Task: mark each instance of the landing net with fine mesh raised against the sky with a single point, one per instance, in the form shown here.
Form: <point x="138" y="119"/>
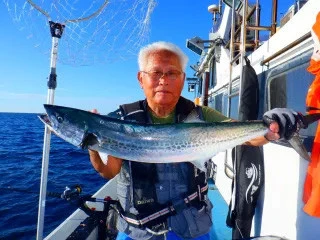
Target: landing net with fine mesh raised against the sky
<point x="96" y="31"/>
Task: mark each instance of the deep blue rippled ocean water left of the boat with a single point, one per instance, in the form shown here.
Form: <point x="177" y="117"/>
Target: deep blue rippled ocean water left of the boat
<point x="21" y="143"/>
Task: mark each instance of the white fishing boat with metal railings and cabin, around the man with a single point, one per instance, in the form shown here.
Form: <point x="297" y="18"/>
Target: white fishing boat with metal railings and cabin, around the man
<point x="276" y="64"/>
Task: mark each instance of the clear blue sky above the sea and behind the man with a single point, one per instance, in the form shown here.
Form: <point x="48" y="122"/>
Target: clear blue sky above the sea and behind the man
<point x="24" y="70"/>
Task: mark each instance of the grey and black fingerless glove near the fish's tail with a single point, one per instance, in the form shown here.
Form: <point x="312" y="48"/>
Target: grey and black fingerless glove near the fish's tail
<point x="287" y="120"/>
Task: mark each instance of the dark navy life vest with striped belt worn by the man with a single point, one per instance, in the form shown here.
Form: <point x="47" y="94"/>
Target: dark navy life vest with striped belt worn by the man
<point x="138" y="182"/>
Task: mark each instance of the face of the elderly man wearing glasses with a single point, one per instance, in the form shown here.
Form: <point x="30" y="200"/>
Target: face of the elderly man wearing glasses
<point x="164" y="90"/>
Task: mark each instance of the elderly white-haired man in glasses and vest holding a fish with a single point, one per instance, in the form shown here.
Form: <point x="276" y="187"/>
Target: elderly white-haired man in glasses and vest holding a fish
<point x="148" y="189"/>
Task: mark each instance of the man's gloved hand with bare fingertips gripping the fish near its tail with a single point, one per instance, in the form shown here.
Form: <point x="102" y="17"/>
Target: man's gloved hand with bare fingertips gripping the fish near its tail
<point x="282" y="123"/>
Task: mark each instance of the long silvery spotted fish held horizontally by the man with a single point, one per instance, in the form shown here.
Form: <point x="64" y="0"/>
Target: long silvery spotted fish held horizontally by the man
<point x="194" y="142"/>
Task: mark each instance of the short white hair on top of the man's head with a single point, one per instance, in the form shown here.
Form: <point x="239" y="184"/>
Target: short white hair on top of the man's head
<point x="158" y="46"/>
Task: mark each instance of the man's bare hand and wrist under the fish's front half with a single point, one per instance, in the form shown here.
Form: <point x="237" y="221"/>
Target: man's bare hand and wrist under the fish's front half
<point x="109" y="170"/>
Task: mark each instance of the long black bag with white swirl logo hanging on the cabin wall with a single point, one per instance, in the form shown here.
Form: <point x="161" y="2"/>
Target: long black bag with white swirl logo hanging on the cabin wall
<point x="248" y="163"/>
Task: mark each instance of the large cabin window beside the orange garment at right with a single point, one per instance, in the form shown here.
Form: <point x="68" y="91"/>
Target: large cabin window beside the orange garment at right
<point x="288" y="89"/>
